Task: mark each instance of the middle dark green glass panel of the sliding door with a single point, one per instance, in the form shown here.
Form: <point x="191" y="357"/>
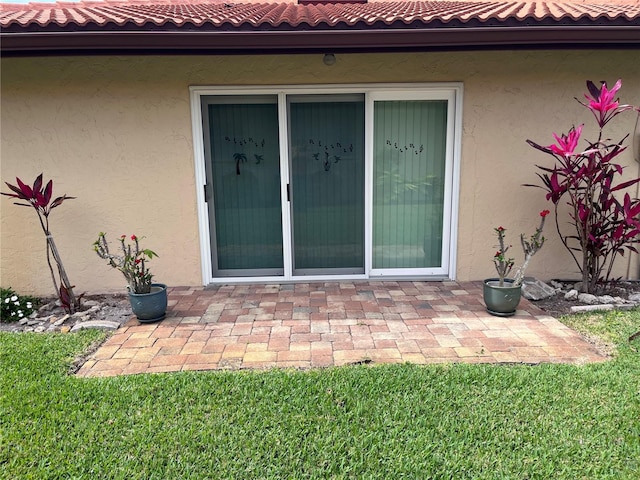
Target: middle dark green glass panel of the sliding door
<point x="327" y="167"/>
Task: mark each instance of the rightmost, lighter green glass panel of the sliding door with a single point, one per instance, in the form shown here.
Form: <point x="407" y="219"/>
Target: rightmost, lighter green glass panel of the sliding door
<point x="408" y="191"/>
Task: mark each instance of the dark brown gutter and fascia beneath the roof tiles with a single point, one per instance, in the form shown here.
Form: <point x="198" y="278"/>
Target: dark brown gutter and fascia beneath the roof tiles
<point x="280" y="42"/>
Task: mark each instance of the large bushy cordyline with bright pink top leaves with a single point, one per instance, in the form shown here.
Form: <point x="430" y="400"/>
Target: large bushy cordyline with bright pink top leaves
<point x="603" y="225"/>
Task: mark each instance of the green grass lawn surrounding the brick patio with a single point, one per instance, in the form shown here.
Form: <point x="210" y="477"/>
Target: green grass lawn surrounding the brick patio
<point x="391" y="421"/>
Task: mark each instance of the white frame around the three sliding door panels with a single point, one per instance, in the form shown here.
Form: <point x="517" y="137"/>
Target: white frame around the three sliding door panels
<point x="452" y="92"/>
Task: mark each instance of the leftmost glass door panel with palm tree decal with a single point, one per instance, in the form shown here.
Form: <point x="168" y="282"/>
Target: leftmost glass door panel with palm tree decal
<point x="246" y="186"/>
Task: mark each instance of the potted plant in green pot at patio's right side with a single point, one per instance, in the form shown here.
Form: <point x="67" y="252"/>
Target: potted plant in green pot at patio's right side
<point x="502" y="294"/>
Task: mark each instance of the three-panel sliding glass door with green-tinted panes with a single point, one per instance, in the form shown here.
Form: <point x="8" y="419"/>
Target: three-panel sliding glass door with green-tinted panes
<point x="304" y="184"/>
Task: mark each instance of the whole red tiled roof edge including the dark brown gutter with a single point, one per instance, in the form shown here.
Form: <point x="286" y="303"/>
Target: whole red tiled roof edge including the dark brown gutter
<point x="289" y="25"/>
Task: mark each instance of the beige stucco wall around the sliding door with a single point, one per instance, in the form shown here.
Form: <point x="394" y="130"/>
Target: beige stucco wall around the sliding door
<point x="116" y="133"/>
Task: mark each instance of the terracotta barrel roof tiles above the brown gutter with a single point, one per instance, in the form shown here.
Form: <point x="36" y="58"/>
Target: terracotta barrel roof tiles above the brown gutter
<point x="289" y="15"/>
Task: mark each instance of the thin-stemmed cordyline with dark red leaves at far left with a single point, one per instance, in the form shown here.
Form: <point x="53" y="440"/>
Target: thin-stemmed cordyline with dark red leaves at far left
<point x="39" y="196"/>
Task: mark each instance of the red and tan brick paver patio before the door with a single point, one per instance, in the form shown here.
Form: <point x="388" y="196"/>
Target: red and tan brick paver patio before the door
<point x="324" y="324"/>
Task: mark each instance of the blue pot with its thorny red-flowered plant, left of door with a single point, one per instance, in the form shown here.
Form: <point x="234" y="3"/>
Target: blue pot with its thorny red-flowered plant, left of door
<point x="148" y="300"/>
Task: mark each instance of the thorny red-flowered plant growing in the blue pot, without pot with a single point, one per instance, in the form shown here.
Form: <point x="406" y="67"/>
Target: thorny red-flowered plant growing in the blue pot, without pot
<point x="131" y="262"/>
